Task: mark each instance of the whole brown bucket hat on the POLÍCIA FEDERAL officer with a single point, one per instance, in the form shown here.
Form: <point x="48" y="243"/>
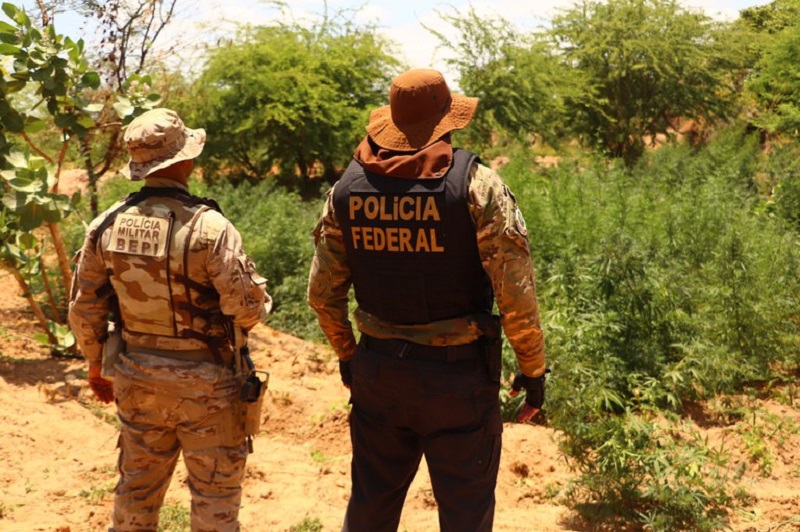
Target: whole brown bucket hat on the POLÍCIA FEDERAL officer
<point x="421" y="110"/>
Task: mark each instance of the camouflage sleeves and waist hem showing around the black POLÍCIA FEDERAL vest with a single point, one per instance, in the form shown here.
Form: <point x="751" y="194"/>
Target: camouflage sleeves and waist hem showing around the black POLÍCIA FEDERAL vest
<point x="503" y="248"/>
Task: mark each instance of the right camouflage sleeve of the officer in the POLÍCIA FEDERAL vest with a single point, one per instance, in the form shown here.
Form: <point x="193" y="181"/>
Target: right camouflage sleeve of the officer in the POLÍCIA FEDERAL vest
<point x="504" y="251"/>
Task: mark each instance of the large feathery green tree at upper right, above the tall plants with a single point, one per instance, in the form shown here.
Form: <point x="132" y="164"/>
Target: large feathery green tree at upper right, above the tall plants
<point x="643" y="64"/>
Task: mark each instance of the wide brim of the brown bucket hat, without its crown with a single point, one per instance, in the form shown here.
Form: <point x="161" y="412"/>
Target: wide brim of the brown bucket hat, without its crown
<point x="413" y="137"/>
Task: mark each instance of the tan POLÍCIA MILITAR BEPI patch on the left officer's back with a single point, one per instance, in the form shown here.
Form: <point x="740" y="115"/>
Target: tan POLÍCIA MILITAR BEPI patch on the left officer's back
<point x="135" y="234"/>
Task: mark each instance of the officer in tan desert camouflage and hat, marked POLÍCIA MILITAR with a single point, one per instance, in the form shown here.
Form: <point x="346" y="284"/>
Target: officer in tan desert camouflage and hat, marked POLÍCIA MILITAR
<point x="173" y="271"/>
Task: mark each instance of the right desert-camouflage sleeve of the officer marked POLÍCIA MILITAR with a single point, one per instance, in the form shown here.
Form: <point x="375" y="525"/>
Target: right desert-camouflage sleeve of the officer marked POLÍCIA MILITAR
<point x="242" y="291"/>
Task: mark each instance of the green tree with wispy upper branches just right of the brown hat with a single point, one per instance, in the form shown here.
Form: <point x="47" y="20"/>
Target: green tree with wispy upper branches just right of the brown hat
<point x="518" y="81"/>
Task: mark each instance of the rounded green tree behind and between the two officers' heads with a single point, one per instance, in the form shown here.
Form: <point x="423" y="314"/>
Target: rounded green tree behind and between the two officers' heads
<point x="290" y="100"/>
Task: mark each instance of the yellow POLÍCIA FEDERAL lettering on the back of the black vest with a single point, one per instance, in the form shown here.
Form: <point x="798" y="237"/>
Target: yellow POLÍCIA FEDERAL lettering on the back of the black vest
<point x="400" y="223"/>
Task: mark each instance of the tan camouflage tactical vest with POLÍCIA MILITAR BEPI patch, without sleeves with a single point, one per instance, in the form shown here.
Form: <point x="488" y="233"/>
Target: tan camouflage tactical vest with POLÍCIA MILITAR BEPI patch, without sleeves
<point x="146" y="251"/>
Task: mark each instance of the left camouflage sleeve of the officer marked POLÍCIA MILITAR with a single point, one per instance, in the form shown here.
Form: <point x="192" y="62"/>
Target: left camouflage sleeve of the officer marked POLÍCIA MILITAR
<point x="89" y="306"/>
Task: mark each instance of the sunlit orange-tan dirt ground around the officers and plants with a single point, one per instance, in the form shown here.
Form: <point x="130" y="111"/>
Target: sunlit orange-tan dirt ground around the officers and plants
<point x="58" y="448"/>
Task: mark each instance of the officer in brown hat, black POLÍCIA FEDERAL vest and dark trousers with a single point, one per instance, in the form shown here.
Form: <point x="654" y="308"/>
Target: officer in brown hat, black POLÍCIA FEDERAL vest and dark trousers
<point x="428" y="237"/>
